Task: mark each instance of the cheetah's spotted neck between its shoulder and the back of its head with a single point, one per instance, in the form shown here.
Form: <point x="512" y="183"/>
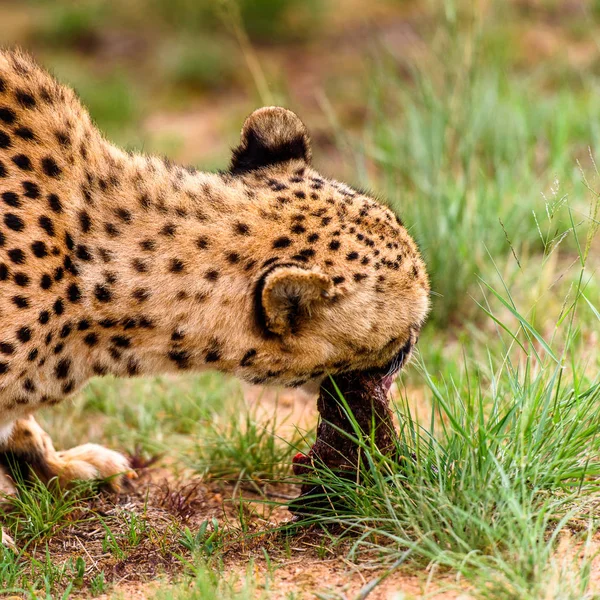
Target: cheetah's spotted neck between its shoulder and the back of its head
<point x="149" y="252"/>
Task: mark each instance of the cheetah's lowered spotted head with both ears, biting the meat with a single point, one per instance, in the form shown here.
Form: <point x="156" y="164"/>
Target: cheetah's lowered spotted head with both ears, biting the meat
<point x="343" y="287"/>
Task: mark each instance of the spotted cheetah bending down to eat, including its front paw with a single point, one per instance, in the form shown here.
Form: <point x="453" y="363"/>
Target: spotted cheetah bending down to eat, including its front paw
<point x="113" y="262"/>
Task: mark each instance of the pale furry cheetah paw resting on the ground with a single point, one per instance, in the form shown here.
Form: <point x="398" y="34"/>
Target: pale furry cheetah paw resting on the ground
<point x="91" y="461"/>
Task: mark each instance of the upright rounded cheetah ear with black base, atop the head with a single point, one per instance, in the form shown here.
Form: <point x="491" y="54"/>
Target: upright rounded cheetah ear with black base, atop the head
<point x="270" y="135"/>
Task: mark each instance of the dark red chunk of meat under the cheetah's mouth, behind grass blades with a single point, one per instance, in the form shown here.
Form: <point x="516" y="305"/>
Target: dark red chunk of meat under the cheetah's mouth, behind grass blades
<point x="366" y="396"/>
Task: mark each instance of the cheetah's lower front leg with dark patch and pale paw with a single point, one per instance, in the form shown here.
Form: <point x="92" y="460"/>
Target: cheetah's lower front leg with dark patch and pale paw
<point x="29" y="448"/>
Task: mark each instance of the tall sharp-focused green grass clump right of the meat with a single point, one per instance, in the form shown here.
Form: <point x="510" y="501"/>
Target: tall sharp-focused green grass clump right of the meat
<point x="507" y="467"/>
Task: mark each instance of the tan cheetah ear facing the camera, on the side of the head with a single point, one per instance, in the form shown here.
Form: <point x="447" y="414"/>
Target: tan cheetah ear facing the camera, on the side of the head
<point x="288" y="296"/>
